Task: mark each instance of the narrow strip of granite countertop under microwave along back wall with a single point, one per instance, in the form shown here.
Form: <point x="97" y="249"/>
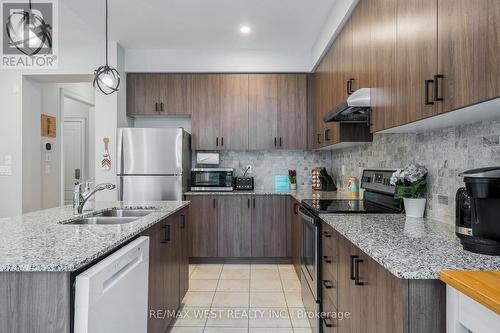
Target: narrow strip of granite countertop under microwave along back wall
<point x="299" y="194"/>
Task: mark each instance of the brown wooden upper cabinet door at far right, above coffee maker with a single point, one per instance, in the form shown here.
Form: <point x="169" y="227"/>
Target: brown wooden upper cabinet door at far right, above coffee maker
<point x="468" y="49"/>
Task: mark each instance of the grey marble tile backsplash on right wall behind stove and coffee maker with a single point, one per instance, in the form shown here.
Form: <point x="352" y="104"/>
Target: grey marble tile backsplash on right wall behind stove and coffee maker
<point x="445" y="153"/>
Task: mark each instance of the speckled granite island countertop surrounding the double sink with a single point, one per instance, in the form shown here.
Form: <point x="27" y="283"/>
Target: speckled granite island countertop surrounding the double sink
<point x="38" y="242"/>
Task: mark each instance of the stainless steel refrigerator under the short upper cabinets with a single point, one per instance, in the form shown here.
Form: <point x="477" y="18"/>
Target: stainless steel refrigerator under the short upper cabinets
<point x="153" y="163"/>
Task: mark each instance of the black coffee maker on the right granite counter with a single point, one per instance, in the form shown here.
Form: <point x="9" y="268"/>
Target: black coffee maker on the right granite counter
<point x="478" y="211"/>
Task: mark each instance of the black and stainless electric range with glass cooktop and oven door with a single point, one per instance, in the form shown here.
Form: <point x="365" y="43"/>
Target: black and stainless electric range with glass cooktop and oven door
<point x="378" y="198"/>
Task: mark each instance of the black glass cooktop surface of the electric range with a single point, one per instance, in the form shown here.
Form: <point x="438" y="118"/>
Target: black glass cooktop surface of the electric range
<point x="323" y="206"/>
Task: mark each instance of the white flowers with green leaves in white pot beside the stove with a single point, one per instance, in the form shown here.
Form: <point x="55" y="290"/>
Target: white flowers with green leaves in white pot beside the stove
<point x="411" y="186"/>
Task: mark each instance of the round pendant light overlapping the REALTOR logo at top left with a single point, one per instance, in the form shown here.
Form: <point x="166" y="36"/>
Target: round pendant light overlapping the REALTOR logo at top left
<point x="28" y="32"/>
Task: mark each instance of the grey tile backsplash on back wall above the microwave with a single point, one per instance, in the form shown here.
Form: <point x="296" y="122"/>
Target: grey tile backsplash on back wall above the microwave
<point x="270" y="163"/>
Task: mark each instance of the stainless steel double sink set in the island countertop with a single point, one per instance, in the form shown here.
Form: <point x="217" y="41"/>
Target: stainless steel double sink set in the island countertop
<point x="113" y="216"/>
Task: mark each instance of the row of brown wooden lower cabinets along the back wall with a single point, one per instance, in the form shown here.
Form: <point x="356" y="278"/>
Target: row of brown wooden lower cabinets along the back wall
<point x="238" y="226"/>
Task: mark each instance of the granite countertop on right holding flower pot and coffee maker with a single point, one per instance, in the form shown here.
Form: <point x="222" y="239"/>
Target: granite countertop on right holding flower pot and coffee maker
<point x="409" y="248"/>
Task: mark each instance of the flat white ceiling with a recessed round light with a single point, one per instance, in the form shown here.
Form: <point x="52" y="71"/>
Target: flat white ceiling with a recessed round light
<point x="209" y="24"/>
